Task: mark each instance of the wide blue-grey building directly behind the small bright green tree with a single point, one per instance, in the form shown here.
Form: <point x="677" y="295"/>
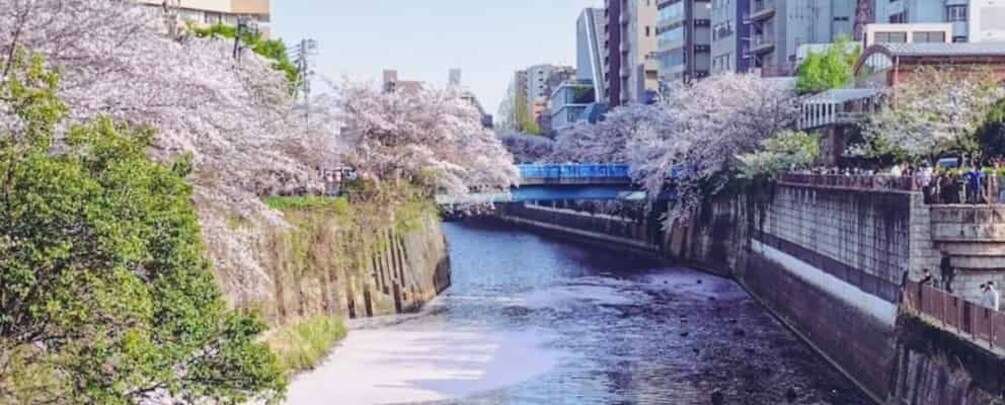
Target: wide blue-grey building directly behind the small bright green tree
<point x="779" y="28"/>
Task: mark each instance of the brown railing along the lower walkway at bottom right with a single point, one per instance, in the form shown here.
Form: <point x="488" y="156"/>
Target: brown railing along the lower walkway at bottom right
<point x="983" y="325"/>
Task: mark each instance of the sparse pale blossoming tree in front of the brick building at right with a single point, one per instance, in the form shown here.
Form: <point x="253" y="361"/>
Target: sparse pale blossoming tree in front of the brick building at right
<point x="934" y="111"/>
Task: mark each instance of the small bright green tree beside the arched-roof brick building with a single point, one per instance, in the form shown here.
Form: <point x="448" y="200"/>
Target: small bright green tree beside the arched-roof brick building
<point x="832" y="69"/>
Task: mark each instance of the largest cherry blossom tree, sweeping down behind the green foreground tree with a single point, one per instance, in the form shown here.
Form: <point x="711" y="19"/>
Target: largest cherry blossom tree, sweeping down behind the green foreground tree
<point x="234" y="117"/>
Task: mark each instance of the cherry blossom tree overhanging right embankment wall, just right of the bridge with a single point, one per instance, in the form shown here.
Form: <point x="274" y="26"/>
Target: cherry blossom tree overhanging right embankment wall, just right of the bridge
<point x="706" y="126"/>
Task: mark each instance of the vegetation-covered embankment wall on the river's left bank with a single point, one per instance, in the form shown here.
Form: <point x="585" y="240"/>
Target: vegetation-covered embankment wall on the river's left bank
<point x="351" y="265"/>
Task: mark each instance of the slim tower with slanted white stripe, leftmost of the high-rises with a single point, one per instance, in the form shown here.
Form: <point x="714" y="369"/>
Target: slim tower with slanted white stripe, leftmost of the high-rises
<point x="589" y="46"/>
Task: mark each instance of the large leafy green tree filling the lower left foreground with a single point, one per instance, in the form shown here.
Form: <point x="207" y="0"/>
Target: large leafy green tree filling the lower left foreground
<point x="105" y="294"/>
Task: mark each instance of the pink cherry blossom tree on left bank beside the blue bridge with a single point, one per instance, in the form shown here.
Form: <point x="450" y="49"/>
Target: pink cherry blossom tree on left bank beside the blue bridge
<point x="432" y="138"/>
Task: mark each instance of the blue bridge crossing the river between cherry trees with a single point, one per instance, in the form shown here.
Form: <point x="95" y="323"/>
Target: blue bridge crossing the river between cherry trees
<point x="561" y="182"/>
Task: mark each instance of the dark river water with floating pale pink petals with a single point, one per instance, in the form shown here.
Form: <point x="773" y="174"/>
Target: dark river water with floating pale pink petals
<point x="536" y="321"/>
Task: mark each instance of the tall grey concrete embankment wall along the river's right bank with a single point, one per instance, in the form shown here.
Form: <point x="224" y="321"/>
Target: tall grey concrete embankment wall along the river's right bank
<point x="828" y="263"/>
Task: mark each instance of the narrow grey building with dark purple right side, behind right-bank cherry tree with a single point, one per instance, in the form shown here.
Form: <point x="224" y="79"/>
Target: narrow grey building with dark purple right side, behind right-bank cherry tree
<point x="730" y="37"/>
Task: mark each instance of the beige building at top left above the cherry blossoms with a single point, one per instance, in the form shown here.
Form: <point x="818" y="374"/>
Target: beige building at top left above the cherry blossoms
<point x="209" y="13"/>
